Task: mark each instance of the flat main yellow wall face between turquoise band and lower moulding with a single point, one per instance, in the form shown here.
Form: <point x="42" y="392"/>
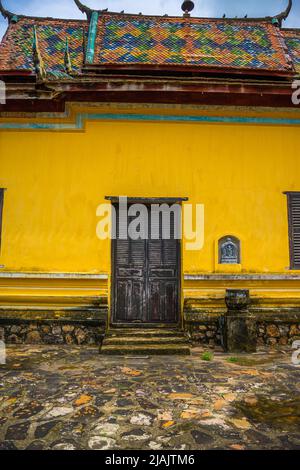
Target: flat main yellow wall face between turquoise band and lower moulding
<point x="55" y="181"/>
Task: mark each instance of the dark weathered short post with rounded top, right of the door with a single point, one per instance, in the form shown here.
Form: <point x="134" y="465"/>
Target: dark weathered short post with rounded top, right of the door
<point x="240" y="325"/>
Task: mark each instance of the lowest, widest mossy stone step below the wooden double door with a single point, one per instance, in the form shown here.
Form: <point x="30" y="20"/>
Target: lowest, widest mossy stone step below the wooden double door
<point x="145" y="350"/>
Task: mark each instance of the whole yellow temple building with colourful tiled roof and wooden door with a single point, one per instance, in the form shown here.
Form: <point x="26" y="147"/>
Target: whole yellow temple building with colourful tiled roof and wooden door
<point x="200" y="113"/>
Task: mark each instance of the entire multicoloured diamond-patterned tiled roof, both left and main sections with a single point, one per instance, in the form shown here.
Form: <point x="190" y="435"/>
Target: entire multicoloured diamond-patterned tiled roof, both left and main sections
<point x="123" y="40"/>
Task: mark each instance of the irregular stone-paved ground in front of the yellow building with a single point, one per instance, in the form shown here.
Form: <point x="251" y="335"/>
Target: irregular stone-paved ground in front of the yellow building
<point x="59" y="397"/>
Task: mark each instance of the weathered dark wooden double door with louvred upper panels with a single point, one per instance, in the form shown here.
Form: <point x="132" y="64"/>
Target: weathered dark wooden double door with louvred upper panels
<point x="146" y="275"/>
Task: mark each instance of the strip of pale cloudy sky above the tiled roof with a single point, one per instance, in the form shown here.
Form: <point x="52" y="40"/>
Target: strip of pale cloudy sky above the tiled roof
<point x="214" y="8"/>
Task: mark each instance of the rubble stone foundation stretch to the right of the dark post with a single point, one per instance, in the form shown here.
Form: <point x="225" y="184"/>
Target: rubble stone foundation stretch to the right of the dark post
<point x="277" y="334"/>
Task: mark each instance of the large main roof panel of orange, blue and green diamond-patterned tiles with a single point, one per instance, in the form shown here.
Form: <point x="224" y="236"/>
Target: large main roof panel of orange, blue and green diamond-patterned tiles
<point x="189" y="41"/>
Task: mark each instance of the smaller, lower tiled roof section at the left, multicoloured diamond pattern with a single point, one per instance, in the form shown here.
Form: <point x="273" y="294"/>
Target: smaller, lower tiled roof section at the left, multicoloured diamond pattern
<point x="16" y="50"/>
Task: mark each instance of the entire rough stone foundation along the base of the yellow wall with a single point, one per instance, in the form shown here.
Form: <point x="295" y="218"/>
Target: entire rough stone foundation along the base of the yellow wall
<point x="88" y="328"/>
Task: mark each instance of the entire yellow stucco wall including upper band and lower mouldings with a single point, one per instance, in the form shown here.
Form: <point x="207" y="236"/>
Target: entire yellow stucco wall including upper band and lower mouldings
<point x="56" y="180"/>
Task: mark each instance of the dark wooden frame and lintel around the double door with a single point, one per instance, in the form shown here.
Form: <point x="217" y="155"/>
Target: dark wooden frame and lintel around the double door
<point x="112" y="313"/>
